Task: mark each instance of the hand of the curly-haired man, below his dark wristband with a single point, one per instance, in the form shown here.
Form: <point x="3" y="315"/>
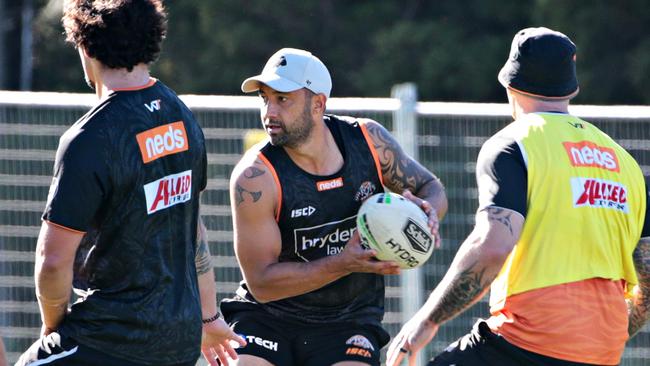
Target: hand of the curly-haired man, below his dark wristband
<point x="215" y="343"/>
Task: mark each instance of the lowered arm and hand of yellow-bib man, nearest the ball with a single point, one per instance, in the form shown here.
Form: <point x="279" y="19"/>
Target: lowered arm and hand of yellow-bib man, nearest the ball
<point x="475" y="266"/>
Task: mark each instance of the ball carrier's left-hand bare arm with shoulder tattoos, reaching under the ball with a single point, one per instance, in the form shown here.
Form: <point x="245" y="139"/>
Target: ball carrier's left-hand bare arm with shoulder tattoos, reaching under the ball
<point x="255" y="200"/>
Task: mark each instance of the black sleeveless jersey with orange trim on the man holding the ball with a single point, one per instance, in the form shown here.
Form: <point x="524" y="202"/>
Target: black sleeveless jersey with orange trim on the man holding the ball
<point x="317" y="217"/>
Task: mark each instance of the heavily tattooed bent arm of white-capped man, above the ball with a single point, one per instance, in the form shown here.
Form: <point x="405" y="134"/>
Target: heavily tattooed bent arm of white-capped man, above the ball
<point x="402" y="173"/>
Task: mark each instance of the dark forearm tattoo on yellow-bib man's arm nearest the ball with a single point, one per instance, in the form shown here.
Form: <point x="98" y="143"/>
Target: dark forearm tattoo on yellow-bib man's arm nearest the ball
<point x="463" y="291"/>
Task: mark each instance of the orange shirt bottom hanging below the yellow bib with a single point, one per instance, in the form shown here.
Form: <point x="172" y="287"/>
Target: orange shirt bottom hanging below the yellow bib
<point x="583" y="321"/>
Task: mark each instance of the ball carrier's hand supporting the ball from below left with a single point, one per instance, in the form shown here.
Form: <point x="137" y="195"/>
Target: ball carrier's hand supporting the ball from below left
<point x="357" y="259"/>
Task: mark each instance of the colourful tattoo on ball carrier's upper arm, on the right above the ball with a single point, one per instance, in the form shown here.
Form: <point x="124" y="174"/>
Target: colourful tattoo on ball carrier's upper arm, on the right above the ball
<point x="399" y="170"/>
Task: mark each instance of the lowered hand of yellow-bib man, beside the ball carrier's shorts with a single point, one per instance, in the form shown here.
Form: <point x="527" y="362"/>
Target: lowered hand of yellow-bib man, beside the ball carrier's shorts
<point x="413" y="336"/>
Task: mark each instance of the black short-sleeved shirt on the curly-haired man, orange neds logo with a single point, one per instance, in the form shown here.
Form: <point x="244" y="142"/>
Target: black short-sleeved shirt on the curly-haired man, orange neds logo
<point x="128" y="174"/>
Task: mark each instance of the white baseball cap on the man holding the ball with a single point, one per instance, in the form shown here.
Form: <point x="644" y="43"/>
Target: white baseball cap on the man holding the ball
<point x="291" y="69"/>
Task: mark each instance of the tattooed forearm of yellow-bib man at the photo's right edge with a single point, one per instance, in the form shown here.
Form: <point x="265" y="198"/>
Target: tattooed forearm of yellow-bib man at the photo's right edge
<point x="639" y="305"/>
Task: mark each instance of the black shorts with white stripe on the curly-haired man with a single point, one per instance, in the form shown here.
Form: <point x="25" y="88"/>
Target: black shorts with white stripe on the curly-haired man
<point x="57" y="350"/>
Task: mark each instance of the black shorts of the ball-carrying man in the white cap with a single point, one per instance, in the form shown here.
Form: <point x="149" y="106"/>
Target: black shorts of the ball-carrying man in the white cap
<point x="286" y="342"/>
